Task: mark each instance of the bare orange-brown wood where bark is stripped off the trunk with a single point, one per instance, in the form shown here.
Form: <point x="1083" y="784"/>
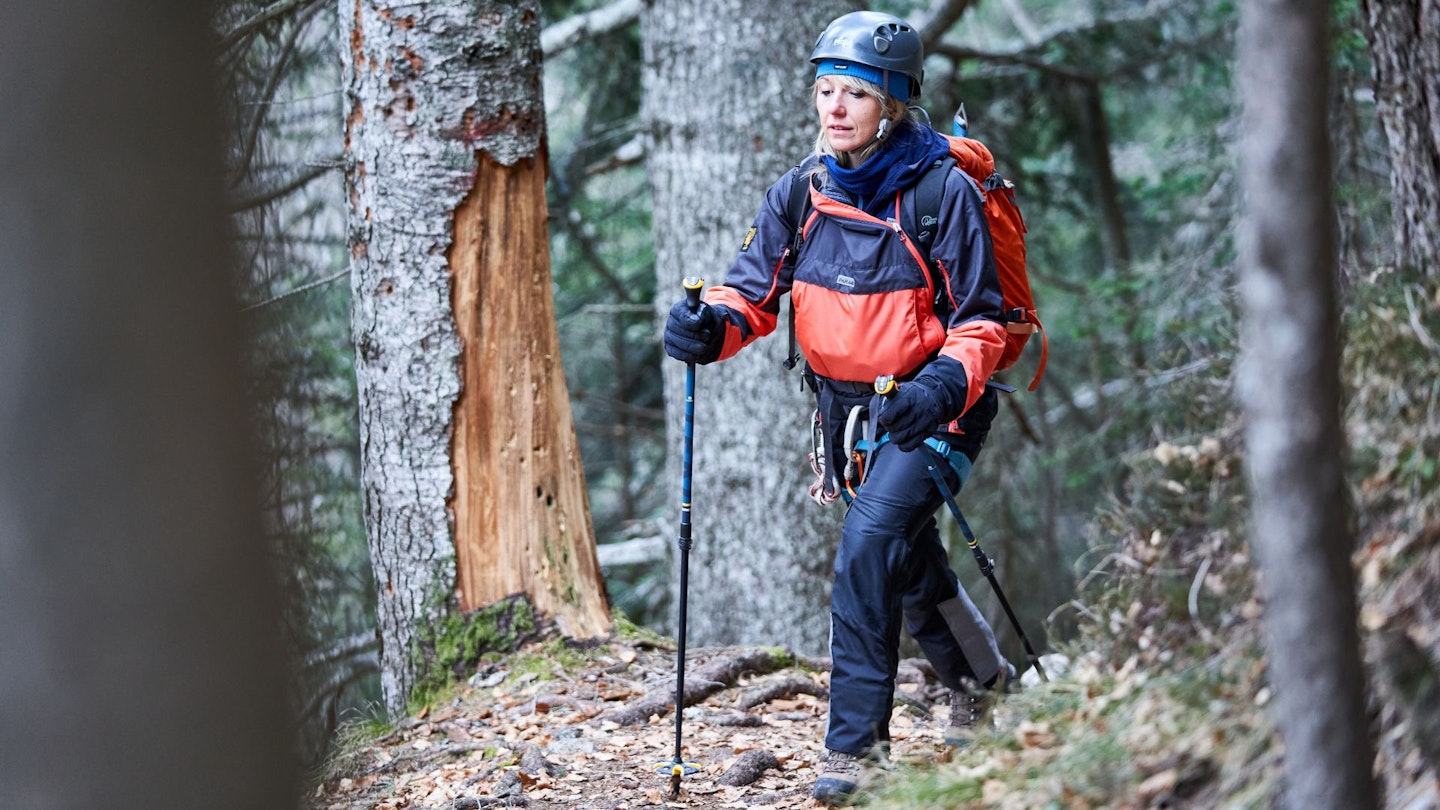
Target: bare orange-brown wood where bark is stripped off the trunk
<point x="522" y="520"/>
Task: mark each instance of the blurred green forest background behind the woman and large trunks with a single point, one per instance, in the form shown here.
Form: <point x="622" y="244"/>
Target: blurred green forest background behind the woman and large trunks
<point x="1118" y="122"/>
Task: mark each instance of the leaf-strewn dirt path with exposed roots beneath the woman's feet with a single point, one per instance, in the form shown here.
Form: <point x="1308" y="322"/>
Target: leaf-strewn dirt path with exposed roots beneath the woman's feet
<point x="577" y="729"/>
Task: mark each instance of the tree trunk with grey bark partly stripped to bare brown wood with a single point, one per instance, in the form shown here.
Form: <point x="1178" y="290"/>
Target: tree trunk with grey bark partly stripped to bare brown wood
<point x="470" y="466"/>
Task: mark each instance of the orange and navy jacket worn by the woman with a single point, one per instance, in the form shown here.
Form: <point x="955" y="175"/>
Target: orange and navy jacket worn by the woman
<point x="865" y="303"/>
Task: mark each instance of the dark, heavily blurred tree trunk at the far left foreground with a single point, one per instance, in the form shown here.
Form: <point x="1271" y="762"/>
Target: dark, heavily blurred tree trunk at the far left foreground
<point x="140" y="658"/>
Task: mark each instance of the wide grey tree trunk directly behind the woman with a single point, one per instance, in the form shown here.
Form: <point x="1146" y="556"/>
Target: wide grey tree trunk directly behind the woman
<point x="728" y="110"/>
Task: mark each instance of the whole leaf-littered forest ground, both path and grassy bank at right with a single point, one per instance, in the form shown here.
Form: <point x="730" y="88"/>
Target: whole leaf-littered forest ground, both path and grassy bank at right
<point x="1166" y="704"/>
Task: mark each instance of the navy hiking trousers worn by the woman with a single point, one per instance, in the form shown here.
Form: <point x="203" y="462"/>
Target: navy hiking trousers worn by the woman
<point x="892" y="564"/>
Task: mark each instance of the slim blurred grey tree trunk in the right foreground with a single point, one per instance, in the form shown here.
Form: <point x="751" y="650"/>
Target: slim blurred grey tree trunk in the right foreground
<point x="1291" y="391"/>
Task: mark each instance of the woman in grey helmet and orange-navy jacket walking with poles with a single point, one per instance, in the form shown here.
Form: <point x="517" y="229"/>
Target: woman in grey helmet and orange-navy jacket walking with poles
<point x="868" y="306"/>
